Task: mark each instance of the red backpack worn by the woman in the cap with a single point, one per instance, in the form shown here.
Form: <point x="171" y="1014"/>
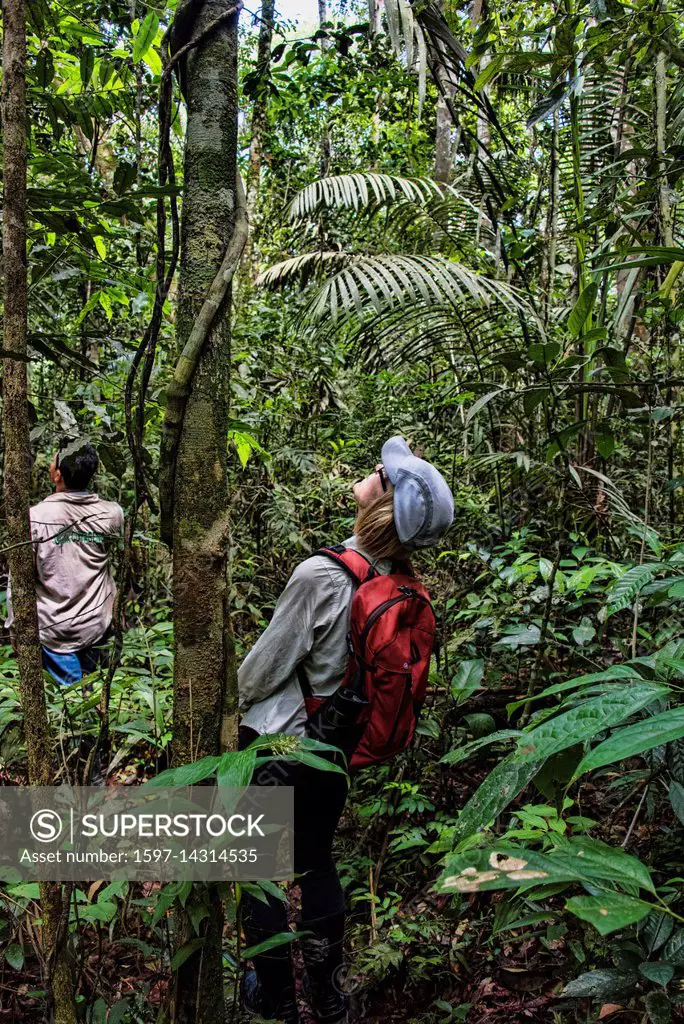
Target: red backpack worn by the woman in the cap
<point x="373" y="714"/>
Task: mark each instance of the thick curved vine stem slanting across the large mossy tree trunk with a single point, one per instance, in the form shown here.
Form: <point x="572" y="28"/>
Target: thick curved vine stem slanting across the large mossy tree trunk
<point x="182" y="382"/>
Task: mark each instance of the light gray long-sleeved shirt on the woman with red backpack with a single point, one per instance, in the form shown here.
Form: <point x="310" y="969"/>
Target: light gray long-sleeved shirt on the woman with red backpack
<point x="310" y="626"/>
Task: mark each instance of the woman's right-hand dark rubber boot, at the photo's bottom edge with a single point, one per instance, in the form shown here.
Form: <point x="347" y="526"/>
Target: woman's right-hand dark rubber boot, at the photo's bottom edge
<point x="323" y="955"/>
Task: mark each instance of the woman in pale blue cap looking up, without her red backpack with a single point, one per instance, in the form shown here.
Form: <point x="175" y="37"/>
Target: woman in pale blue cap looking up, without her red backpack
<point x="404" y="505"/>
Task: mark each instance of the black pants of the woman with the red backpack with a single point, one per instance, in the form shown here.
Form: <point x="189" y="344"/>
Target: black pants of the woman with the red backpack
<point x="320" y="798"/>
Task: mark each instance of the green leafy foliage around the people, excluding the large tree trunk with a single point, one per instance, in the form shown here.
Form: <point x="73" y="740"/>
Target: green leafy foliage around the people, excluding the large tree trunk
<point x="522" y="322"/>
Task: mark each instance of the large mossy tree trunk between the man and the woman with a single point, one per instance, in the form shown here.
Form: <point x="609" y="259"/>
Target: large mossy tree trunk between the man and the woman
<point x="205" y="677"/>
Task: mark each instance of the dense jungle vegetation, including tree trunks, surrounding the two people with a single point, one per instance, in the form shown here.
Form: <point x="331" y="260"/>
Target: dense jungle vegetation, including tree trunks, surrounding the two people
<point x="464" y="228"/>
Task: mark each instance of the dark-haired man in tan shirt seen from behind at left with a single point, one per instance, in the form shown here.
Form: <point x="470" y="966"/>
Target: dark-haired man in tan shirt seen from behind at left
<point x="73" y="531"/>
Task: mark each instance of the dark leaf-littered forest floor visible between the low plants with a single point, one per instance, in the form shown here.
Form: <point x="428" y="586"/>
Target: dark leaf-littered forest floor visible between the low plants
<point x="517" y="978"/>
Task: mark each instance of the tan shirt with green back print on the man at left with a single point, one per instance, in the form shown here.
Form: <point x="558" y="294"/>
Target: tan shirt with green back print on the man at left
<point x="75" y="592"/>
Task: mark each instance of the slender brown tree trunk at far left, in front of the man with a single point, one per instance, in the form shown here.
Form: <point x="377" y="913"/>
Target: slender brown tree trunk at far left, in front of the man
<point x="18" y="480"/>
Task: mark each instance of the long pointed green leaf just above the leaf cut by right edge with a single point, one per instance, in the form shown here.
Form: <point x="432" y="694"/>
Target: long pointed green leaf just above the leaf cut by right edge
<point x="586" y="720"/>
